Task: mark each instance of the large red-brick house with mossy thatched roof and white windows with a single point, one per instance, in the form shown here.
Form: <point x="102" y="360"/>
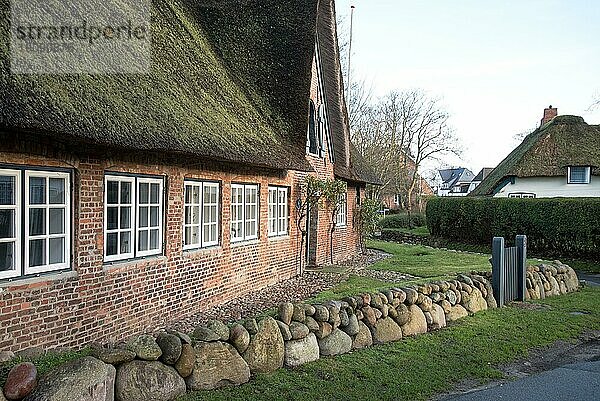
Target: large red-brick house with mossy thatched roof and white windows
<point x="129" y="201"/>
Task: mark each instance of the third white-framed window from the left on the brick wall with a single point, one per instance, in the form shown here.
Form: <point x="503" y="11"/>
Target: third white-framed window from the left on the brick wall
<point x="201" y="214"/>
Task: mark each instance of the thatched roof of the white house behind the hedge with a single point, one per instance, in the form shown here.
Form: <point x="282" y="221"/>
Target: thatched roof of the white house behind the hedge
<point x="547" y="152"/>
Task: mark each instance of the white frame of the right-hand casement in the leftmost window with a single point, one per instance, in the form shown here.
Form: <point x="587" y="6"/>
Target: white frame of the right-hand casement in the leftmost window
<point x="66" y="206"/>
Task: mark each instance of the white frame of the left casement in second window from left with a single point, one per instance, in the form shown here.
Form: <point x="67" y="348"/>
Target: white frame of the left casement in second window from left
<point x="132" y="223"/>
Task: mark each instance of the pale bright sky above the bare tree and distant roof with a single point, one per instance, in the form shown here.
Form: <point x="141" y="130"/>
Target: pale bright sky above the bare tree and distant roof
<point x="495" y="64"/>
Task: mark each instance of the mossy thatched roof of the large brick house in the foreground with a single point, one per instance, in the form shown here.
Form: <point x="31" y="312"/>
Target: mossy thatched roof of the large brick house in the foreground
<point x="229" y="81"/>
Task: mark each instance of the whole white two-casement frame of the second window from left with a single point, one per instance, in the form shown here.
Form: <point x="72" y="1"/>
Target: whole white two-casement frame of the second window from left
<point x="135" y="181"/>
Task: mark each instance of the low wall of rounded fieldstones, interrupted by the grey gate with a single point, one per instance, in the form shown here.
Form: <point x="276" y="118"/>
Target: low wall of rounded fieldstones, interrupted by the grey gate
<point x="165" y="366"/>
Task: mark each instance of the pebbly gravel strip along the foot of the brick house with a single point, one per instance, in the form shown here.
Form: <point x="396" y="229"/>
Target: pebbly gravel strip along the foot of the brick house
<point x="295" y="289"/>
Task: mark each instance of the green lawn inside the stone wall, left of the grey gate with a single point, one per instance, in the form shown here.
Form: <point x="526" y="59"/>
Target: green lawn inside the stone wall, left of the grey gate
<point x="424" y="261"/>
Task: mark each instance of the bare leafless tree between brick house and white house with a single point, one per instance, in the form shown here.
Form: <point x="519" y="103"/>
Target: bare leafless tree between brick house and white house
<point x="398" y="134"/>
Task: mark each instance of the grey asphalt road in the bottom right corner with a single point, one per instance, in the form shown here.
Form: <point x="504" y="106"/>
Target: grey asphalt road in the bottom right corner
<point x="579" y="381"/>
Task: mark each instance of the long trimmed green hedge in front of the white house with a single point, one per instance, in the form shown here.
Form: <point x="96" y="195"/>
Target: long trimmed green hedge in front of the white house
<point x="554" y="226"/>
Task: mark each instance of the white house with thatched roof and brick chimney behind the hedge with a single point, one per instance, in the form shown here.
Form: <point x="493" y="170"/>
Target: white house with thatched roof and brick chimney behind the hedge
<point x="559" y="159"/>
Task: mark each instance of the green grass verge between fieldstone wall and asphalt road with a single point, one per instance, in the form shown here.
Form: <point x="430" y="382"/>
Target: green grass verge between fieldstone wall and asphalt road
<point x="417" y="368"/>
